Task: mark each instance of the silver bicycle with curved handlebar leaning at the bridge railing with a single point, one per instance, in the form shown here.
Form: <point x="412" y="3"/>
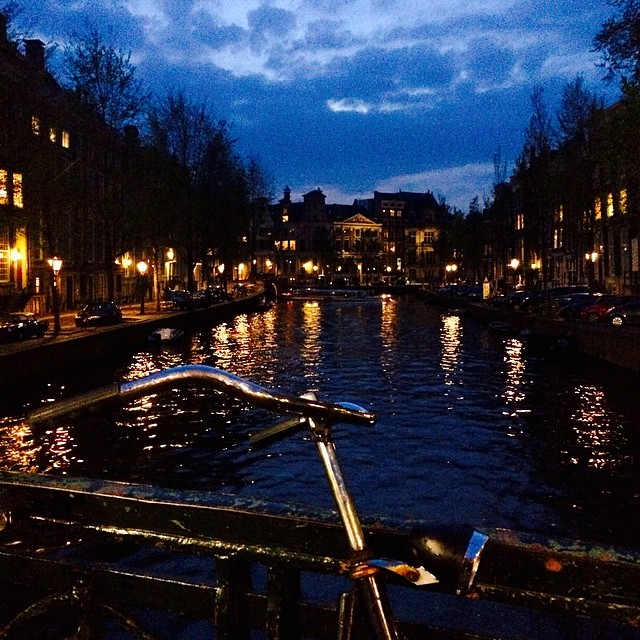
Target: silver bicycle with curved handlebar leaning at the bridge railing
<point x="318" y="417"/>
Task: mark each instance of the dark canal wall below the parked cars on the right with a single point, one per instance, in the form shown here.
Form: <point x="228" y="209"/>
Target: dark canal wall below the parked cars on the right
<point x="619" y="346"/>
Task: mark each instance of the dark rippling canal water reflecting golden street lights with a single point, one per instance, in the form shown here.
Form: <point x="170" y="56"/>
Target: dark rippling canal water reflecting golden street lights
<point x="472" y="427"/>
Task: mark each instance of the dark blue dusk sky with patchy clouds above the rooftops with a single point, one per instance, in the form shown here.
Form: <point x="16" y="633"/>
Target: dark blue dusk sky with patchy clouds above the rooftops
<point x="354" y="96"/>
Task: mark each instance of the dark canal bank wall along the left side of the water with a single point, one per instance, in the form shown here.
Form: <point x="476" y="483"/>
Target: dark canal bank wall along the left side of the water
<point x="74" y="347"/>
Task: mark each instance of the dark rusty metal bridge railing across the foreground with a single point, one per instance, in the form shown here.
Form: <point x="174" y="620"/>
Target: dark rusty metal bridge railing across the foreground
<point x="73" y="545"/>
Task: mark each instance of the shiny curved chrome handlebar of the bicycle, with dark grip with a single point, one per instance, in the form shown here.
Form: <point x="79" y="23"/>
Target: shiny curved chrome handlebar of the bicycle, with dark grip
<point x="228" y="383"/>
